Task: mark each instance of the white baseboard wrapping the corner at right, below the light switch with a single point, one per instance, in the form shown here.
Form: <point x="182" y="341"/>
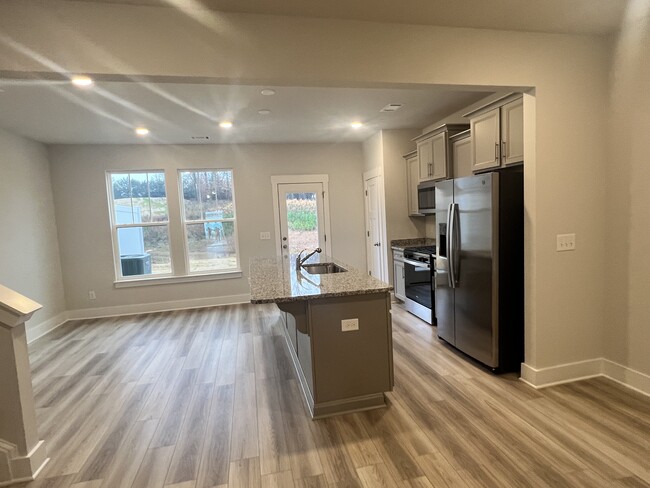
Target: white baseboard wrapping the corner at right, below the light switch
<point x="567" y="373"/>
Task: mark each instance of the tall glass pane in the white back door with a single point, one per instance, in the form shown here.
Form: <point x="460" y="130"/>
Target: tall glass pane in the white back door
<point x="302" y="221"/>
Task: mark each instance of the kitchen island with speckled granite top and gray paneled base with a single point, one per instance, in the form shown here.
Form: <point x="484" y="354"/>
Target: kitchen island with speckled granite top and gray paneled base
<point x="338" y="331"/>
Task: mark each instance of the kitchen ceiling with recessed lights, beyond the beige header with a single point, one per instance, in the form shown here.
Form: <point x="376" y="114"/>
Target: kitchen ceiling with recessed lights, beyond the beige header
<point x="56" y="112"/>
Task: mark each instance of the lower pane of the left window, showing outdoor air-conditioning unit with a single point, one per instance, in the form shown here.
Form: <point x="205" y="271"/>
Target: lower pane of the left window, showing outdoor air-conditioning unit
<point x="144" y="250"/>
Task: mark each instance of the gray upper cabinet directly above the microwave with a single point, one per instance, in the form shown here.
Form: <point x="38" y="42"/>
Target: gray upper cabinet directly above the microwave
<point x="433" y="151"/>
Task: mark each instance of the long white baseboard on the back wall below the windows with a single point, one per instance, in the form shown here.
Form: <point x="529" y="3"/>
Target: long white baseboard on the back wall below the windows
<point x="93" y="313"/>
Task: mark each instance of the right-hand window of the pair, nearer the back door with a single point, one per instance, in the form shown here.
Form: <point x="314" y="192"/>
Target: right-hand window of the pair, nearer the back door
<point x="209" y="220"/>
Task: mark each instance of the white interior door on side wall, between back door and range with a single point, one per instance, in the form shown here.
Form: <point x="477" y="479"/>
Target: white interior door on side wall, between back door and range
<point x="374" y="227"/>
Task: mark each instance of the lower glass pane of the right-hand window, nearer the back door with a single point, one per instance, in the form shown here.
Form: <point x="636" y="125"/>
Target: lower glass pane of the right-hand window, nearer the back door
<point x="211" y="246"/>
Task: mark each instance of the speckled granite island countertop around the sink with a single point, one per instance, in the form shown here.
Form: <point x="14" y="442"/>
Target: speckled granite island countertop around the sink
<point x="275" y="280"/>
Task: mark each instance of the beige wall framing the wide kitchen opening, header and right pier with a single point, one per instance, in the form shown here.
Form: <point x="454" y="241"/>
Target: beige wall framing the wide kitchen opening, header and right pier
<point x="566" y="139"/>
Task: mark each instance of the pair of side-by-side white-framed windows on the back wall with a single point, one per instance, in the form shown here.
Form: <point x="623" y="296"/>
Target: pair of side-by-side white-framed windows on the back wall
<point x="149" y="237"/>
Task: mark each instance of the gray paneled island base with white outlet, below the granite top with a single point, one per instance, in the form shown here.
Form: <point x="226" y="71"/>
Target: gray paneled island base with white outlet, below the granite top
<point x="341" y="371"/>
